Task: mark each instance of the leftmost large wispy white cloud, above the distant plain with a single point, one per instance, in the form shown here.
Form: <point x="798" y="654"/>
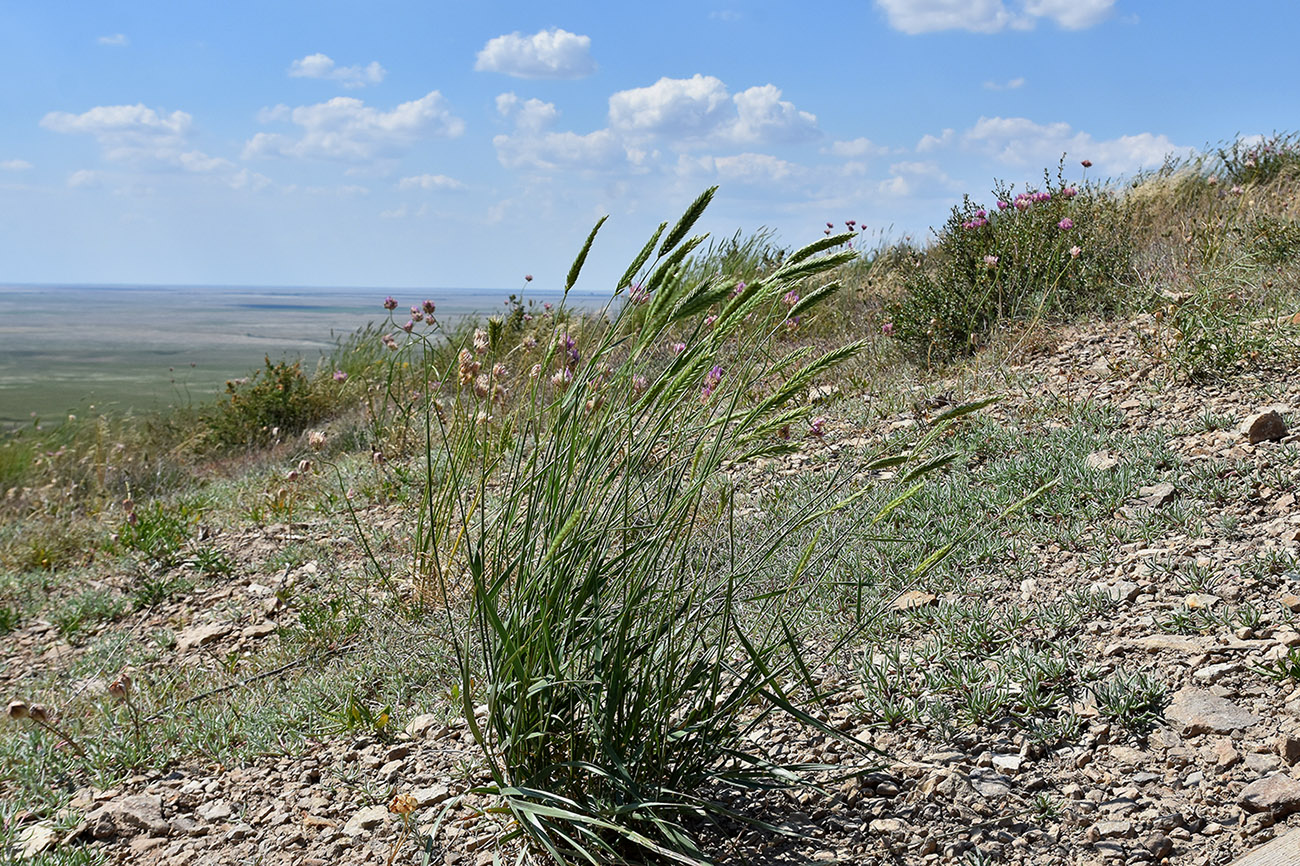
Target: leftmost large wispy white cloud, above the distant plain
<point x="138" y="136"/>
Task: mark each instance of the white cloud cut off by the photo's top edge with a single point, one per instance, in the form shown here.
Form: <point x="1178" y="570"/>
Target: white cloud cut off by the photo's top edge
<point x="991" y="16"/>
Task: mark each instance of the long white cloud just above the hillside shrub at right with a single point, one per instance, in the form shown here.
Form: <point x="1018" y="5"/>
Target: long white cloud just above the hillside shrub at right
<point x="1019" y="141"/>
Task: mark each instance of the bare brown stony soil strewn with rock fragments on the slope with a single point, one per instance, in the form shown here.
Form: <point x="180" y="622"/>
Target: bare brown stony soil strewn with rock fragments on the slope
<point x="1216" y="778"/>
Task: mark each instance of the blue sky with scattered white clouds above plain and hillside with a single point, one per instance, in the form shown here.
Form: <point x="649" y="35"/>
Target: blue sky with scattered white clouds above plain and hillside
<point x="465" y="145"/>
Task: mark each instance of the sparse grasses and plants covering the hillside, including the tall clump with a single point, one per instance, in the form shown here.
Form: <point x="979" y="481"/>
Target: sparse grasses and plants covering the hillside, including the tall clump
<point x="631" y="558"/>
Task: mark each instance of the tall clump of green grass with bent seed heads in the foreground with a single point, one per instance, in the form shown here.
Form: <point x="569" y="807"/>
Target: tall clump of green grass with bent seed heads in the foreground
<point x="574" y="527"/>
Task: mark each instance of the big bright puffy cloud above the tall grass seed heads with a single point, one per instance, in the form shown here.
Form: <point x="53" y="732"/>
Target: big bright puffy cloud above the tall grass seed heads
<point x="701" y="110"/>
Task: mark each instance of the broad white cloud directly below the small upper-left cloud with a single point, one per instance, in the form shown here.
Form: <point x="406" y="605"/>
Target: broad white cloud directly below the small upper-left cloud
<point x="348" y="131"/>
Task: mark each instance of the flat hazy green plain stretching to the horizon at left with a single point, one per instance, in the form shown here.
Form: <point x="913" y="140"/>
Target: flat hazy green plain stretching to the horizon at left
<point x="118" y="349"/>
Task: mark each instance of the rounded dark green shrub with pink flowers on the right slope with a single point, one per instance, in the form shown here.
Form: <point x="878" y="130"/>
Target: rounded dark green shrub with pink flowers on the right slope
<point x="1058" y="250"/>
